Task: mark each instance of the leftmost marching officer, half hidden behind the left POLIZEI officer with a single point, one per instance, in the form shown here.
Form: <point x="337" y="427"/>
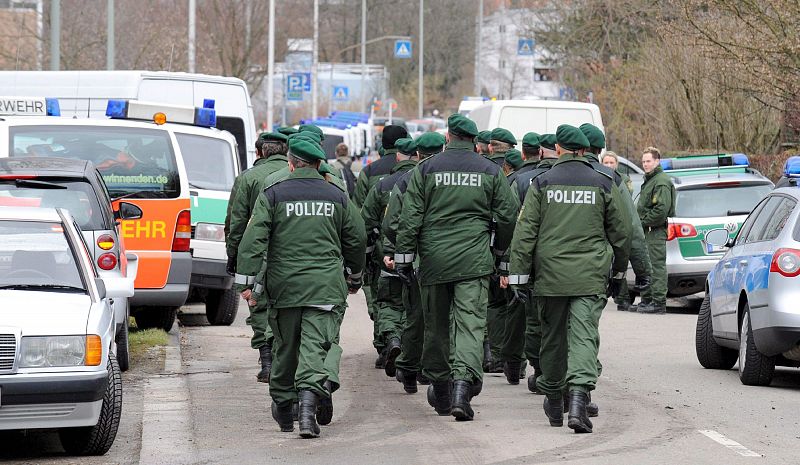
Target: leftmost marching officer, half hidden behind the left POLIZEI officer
<point x="270" y="158"/>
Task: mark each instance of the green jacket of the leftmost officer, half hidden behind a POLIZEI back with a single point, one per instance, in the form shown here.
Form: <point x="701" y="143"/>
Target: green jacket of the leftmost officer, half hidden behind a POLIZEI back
<point x="243" y="198"/>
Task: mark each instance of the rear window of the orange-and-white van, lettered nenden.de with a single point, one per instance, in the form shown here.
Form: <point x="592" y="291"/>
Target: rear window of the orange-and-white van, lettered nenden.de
<point x="135" y="162"/>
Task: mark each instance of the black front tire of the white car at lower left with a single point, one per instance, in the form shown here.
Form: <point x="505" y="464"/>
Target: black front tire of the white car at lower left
<point x="97" y="439"/>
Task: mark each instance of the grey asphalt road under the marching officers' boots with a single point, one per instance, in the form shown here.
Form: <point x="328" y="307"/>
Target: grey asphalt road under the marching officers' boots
<point x="657" y="406"/>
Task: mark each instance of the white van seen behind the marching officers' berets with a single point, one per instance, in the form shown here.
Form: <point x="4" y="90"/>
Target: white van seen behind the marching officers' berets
<point x="540" y="116"/>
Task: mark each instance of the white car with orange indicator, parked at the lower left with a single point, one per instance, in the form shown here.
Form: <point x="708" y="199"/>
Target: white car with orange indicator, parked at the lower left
<point x="58" y="366"/>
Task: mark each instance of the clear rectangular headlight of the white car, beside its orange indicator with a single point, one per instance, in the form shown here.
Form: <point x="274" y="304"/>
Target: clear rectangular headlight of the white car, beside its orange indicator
<point x="52" y="351"/>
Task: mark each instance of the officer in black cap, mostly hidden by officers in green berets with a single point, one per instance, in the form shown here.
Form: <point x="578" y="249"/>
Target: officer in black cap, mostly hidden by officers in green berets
<point x="369" y="176"/>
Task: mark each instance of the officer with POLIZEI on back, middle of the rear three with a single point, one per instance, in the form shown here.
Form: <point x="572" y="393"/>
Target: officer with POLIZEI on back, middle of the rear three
<point x="449" y="206"/>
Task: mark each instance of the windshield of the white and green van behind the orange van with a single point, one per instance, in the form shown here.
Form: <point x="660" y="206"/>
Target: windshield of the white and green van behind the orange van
<point x="209" y="162"/>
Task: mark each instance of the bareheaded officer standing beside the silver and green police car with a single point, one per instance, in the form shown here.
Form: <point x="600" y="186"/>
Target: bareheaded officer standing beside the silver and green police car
<point x="656" y="205"/>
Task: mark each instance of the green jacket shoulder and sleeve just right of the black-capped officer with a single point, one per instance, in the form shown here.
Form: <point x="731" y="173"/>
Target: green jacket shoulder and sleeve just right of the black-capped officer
<point x="375" y="206"/>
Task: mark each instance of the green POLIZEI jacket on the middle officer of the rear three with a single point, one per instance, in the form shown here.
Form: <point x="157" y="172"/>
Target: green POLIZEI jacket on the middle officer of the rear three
<point x="448" y="209"/>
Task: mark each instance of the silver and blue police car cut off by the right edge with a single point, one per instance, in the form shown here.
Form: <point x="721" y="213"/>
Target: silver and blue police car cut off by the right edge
<point x="751" y="311"/>
